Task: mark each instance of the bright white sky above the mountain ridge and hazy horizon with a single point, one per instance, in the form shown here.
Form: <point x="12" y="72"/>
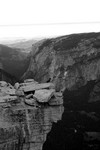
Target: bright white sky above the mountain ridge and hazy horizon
<point x="47" y="18"/>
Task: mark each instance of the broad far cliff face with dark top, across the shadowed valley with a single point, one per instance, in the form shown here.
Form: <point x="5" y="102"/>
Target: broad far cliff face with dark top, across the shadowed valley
<point x="68" y="61"/>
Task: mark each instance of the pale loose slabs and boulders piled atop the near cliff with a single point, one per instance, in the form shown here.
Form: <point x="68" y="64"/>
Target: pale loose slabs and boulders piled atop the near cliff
<point x="32" y="93"/>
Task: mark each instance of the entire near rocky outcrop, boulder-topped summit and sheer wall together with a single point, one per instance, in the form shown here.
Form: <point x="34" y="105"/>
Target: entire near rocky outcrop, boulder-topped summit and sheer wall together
<point x="23" y="125"/>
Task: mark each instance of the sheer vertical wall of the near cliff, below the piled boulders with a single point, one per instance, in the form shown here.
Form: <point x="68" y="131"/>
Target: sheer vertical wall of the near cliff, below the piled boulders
<point x="26" y="128"/>
